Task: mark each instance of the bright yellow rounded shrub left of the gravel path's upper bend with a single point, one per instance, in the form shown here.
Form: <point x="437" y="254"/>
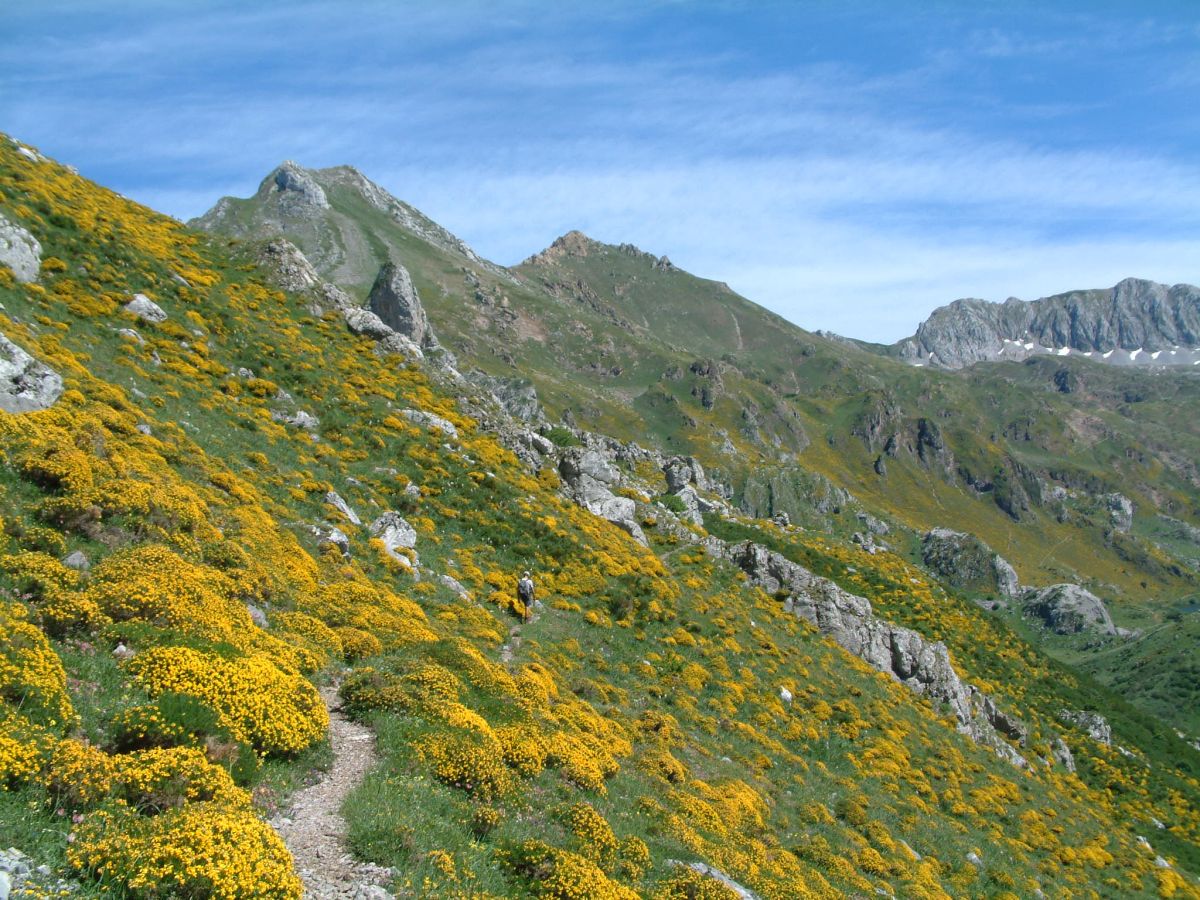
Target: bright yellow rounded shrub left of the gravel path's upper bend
<point x="259" y="704"/>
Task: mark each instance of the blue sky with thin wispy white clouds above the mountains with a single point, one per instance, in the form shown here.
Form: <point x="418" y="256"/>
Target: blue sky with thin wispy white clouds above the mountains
<point x="849" y="165"/>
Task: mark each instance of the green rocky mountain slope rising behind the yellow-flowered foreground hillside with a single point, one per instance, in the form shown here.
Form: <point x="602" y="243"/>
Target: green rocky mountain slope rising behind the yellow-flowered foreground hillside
<point x="620" y="343"/>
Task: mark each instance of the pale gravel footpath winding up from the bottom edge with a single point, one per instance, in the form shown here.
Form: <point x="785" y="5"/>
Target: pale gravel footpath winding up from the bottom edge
<point x="314" y="829"/>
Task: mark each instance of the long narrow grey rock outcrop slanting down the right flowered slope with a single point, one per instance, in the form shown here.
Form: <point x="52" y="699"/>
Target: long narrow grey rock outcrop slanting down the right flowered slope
<point x="919" y="664"/>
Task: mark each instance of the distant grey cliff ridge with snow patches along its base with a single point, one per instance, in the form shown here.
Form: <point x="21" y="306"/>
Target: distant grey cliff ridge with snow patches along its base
<point x="1136" y="323"/>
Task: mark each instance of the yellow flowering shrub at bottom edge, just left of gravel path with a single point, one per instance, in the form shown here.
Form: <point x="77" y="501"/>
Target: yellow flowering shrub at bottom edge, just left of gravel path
<point x="200" y="850"/>
